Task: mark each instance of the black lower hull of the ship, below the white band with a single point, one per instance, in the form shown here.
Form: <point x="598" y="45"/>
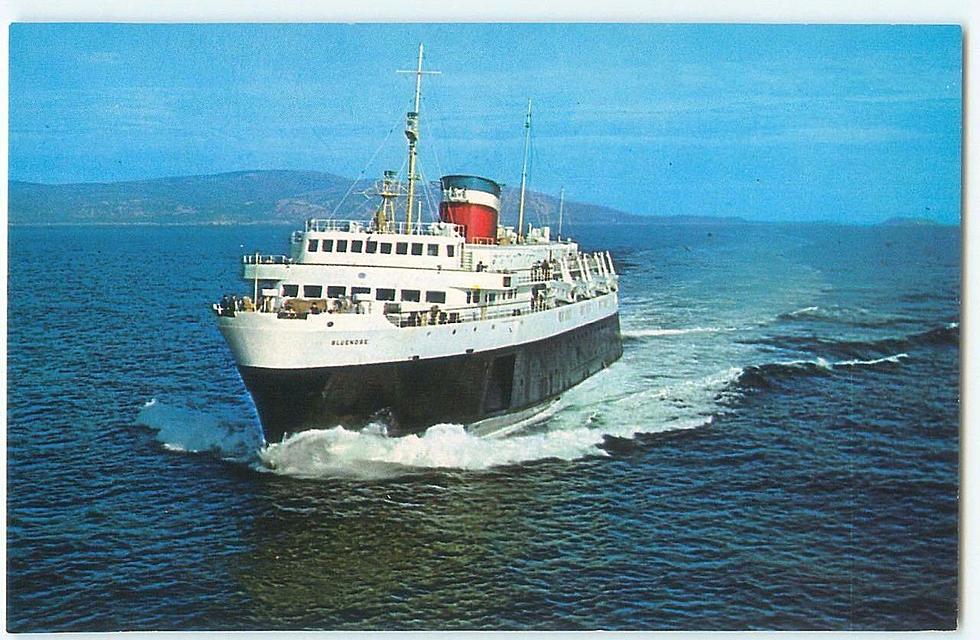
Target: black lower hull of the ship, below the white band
<point x="415" y="394"/>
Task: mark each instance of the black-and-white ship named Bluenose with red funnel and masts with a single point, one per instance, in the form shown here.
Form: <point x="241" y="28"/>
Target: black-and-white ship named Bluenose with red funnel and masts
<point x="410" y="323"/>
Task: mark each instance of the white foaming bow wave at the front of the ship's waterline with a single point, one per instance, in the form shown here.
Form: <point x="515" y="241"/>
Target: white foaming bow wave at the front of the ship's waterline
<point x="615" y="402"/>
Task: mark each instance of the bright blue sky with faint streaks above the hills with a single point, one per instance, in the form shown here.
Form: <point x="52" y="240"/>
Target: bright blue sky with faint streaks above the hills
<point x="767" y="122"/>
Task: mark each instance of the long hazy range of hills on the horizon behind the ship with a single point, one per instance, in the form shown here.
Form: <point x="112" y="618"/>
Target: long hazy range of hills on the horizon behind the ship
<point x="247" y="197"/>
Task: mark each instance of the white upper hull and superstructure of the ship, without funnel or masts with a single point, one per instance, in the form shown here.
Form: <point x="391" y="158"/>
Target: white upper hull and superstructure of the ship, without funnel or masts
<point x="347" y="294"/>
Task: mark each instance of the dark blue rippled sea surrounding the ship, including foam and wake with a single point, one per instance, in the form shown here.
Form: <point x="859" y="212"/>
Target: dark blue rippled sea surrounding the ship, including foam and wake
<point x="777" y="449"/>
